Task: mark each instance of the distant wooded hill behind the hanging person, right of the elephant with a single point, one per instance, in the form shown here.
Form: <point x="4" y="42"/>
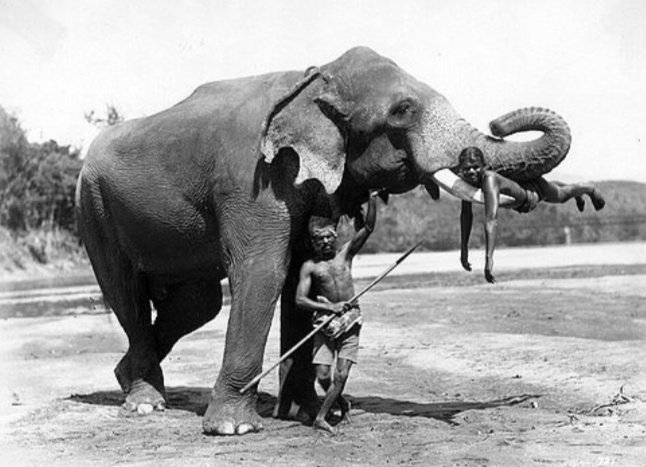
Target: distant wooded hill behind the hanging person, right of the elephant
<point x="414" y="215"/>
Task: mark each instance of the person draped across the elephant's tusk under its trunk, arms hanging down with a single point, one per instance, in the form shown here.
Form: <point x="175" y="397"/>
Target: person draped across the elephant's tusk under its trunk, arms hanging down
<point x="526" y="195"/>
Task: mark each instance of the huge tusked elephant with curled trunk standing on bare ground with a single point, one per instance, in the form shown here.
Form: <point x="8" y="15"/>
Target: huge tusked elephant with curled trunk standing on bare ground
<point x="221" y="185"/>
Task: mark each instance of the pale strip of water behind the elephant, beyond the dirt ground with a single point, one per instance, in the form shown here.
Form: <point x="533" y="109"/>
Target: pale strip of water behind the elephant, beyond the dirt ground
<point x="73" y="295"/>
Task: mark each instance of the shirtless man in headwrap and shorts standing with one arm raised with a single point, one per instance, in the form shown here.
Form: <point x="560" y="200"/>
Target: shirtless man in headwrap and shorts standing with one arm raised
<point x="327" y="276"/>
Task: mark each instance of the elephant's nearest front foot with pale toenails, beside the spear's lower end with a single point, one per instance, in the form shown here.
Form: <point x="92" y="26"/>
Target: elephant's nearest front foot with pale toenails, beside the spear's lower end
<point x="231" y="414"/>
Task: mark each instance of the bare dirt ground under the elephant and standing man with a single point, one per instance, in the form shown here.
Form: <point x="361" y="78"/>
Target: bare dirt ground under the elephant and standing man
<point x="546" y="367"/>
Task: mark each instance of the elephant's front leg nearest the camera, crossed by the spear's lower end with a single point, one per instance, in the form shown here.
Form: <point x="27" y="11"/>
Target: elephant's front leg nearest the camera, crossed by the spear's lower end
<point x="255" y="285"/>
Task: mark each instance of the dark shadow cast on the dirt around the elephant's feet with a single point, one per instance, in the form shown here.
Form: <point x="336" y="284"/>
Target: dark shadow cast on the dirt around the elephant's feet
<point x="195" y="400"/>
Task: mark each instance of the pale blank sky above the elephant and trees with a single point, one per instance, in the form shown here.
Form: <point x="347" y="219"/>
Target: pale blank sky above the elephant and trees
<point x="585" y="60"/>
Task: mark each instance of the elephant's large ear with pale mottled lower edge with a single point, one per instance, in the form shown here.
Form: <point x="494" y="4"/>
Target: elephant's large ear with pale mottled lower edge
<point x="304" y="120"/>
